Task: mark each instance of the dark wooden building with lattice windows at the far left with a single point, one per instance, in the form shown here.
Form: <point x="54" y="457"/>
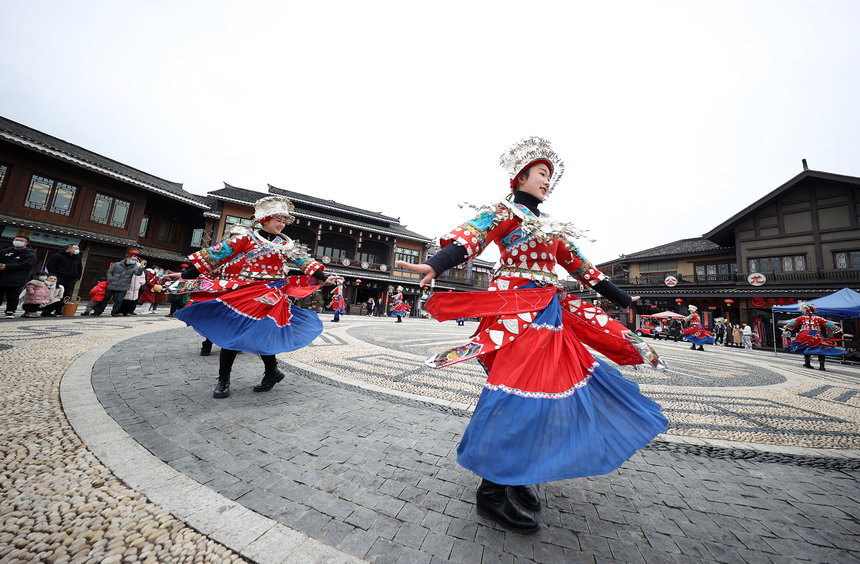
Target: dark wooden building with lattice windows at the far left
<point x="58" y="193"/>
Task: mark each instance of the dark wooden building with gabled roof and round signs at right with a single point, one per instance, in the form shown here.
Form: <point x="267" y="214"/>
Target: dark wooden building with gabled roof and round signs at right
<point x="800" y="241"/>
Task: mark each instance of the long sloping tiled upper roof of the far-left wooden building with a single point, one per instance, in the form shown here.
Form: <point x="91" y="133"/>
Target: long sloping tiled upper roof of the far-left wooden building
<point x="24" y="136"/>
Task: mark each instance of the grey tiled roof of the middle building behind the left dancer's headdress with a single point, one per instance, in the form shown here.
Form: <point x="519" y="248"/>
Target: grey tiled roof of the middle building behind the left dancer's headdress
<point x="382" y="224"/>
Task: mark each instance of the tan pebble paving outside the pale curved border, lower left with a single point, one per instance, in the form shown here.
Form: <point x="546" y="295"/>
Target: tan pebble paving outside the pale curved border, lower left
<point x="58" y="503"/>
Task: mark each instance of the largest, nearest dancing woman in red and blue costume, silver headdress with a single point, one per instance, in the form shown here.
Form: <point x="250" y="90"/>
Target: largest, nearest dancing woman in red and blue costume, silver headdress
<point x="549" y="409"/>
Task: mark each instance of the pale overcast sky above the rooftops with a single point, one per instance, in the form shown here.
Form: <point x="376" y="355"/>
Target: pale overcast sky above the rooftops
<point x="671" y="116"/>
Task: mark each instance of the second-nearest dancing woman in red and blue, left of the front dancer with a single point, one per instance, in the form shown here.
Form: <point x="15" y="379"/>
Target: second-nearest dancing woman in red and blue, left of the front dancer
<point x="241" y="294"/>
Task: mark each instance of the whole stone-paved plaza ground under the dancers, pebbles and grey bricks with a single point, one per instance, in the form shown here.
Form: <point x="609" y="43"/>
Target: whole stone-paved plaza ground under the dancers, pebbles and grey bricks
<point x="115" y="451"/>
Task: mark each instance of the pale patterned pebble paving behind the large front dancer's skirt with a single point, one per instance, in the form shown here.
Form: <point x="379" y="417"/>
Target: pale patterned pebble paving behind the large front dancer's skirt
<point x="721" y="393"/>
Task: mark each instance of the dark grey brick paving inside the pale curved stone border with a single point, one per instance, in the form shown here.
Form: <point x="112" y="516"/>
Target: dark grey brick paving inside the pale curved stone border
<point x="375" y="475"/>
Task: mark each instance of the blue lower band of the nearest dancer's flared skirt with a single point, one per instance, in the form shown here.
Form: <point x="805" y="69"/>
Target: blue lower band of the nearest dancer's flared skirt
<point x="516" y="440"/>
